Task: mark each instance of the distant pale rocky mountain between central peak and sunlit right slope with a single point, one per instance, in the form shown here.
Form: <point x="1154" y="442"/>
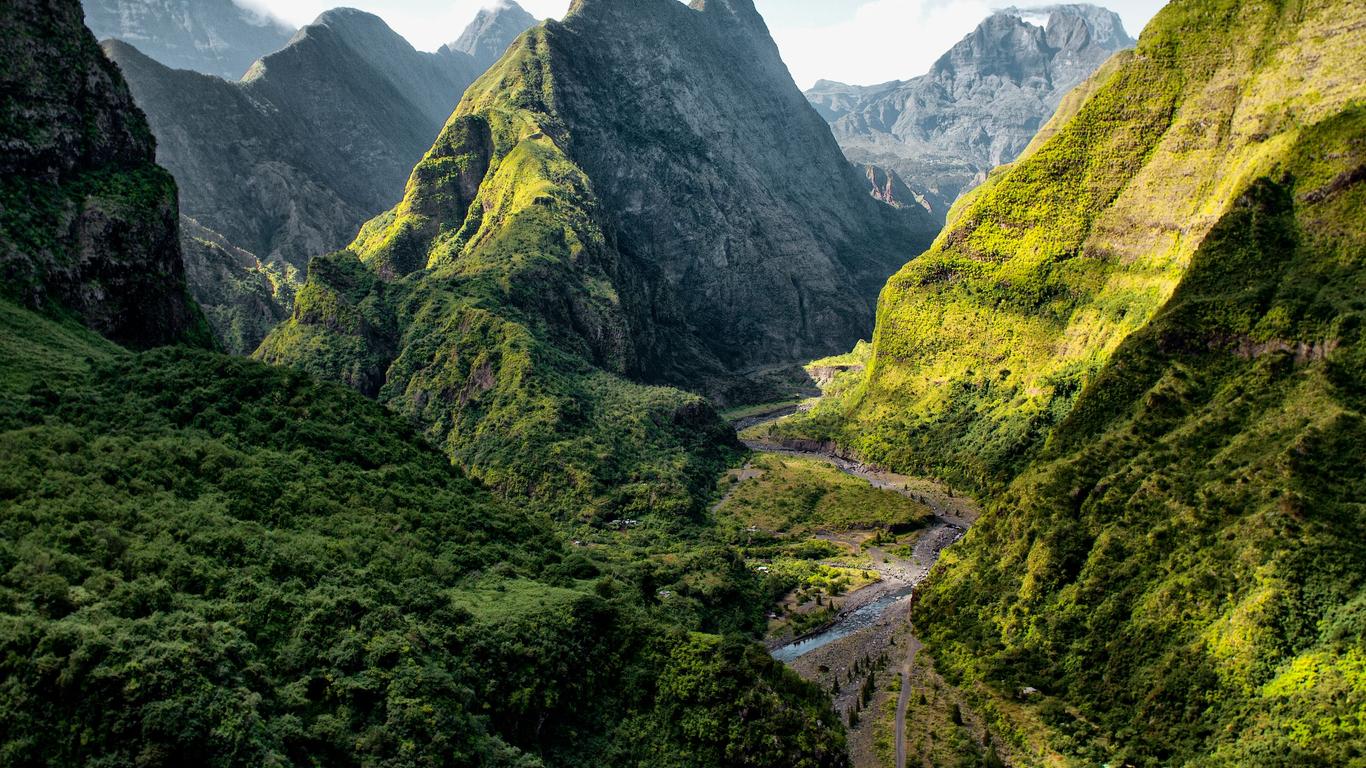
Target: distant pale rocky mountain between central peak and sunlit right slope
<point x="980" y="105"/>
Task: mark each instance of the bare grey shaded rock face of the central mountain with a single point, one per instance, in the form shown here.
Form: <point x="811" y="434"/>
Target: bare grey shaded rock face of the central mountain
<point x="753" y="238"/>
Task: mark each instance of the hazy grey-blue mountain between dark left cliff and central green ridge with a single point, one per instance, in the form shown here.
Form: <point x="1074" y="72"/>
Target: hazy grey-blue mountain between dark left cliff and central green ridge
<point x="293" y="159"/>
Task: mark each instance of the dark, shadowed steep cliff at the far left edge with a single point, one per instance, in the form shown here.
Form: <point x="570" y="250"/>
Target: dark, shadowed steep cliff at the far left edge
<point x="88" y="221"/>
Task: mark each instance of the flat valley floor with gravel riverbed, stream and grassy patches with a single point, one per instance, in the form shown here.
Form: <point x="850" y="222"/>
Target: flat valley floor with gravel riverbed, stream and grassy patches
<point x="869" y="635"/>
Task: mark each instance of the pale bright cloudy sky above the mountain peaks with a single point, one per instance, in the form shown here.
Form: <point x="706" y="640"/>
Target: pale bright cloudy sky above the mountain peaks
<point x="857" y="42"/>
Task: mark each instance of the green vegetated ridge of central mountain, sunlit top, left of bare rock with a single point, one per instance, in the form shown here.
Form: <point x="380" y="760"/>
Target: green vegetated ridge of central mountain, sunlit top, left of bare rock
<point x="484" y="308"/>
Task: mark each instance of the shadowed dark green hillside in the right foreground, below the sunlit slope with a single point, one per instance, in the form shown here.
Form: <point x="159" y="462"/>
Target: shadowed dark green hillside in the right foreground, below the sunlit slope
<point x="1182" y="572"/>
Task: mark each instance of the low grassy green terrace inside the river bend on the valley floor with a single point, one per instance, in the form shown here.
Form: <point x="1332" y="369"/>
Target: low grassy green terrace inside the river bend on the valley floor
<point x="797" y="497"/>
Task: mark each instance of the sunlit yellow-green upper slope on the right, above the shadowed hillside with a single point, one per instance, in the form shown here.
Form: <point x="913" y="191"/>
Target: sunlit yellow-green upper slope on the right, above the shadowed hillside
<point x="986" y="342"/>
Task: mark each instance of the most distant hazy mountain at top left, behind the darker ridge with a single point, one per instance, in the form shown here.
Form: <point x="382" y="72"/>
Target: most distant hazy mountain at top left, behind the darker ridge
<point x="215" y="38"/>
